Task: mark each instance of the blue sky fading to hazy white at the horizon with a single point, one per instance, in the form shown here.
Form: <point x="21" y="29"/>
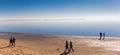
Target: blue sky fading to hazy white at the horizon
<point x="89" y="10"/>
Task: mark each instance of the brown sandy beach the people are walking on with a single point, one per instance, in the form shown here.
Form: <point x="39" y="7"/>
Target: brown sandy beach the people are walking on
<point x="39" y="44"/>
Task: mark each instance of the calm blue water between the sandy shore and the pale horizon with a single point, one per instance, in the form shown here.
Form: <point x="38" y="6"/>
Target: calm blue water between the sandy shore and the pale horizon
<point x="62" y="27"/>
